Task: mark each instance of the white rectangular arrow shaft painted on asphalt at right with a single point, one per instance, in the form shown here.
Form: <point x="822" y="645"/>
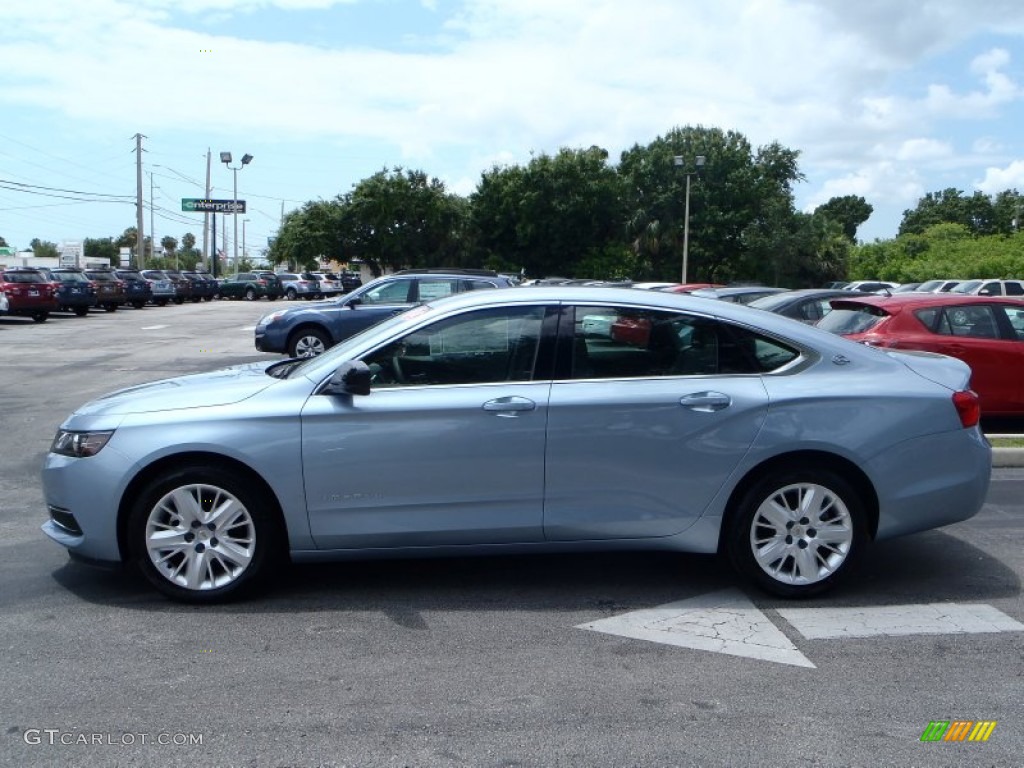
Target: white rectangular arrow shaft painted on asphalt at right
<point x="934" y="619"/>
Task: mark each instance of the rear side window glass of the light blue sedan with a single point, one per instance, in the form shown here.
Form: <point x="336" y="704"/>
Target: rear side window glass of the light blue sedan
<point x="621" y="343"/>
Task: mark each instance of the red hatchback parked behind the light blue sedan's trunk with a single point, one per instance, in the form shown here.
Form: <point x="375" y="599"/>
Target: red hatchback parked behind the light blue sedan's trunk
<point x="986" y="332"/>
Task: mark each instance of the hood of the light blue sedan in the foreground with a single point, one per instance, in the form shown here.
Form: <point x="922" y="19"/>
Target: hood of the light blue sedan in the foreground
<point x="222" y="388"/>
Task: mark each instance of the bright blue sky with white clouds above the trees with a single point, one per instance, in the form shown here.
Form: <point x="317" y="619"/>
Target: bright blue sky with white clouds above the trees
<point x="887" y="100"/>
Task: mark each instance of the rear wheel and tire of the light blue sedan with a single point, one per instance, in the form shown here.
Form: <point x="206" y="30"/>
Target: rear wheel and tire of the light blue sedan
<point x="795" y="533"/>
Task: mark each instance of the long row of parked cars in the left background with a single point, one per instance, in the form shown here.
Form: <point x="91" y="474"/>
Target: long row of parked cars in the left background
<point x="35" y="292"/>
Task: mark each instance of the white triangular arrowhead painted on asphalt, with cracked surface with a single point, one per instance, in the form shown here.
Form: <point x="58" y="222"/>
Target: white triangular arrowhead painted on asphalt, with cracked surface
<point x="723" y="622"/>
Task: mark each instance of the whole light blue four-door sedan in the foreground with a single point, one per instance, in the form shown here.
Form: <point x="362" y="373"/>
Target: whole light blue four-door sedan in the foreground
<point x="710" y="428"/>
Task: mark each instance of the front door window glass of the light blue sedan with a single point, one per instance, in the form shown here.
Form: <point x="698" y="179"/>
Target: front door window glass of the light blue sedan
<point x="481" y="348"/>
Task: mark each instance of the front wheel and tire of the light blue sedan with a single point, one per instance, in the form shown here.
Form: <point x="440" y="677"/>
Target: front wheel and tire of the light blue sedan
<point x="205" y="535"/>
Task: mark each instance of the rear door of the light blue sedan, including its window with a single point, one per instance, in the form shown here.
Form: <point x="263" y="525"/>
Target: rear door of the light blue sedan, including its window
<point x="647" y="421"/>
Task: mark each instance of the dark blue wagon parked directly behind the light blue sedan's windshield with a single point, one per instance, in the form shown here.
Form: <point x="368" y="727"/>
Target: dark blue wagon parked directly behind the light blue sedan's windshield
<point x="310" y="330"/>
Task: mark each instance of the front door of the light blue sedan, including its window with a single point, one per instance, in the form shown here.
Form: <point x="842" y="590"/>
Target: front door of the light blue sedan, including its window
<point x="448" y="449"/>
